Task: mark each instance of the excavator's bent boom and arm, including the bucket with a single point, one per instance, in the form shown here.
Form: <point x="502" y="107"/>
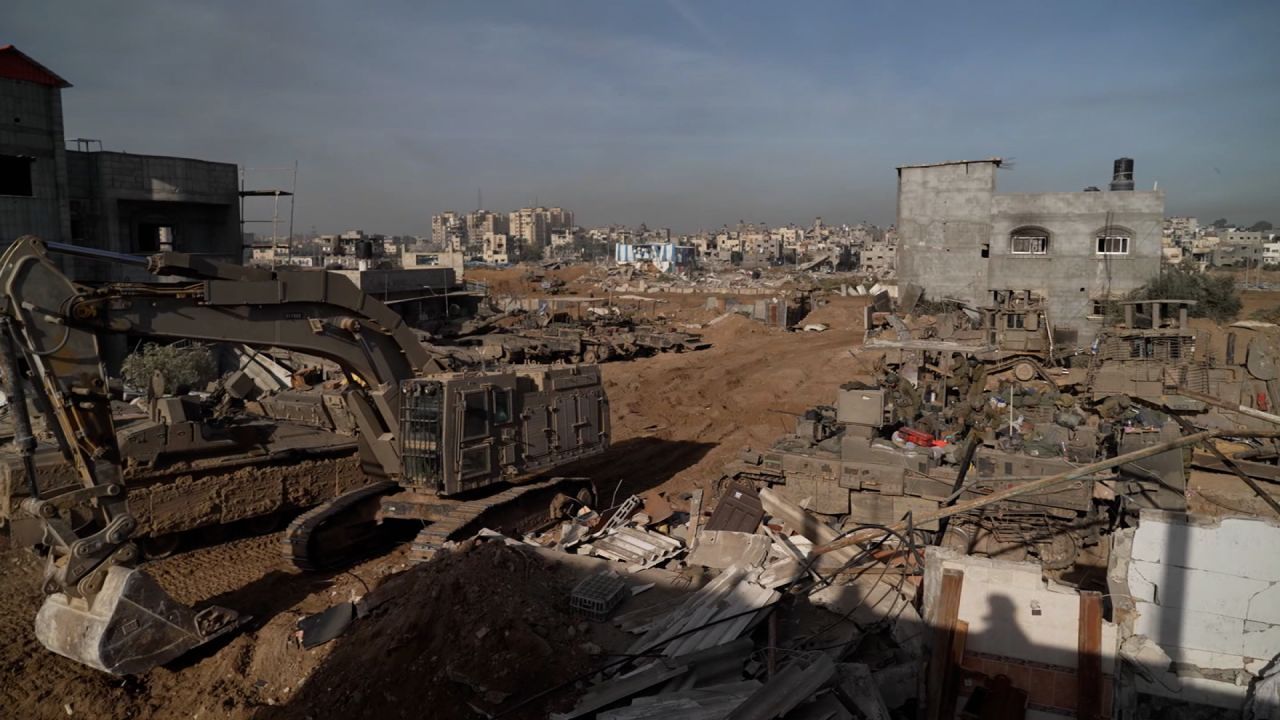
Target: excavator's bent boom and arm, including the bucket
<point x="100" y="612"/>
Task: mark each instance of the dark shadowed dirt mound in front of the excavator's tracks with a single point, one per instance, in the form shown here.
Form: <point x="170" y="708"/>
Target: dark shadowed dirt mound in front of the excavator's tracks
<point x="483" y="627"/>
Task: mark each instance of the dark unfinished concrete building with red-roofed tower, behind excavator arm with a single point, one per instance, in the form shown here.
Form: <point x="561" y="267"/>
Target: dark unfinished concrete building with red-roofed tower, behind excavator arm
<point x="118" y="202"/>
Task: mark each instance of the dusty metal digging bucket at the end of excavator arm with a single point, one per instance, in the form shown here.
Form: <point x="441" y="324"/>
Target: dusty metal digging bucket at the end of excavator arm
<point x="130" y="627"/>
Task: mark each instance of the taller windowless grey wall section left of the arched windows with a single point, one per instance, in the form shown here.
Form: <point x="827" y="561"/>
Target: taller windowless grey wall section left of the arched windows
<point x="944" y="222"/>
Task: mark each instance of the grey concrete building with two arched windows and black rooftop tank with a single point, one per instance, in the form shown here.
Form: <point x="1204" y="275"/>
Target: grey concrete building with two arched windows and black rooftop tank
<point x="961" y="239"/>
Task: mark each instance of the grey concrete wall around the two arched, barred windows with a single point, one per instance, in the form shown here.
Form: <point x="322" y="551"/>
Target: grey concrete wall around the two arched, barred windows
<point x="1072" y="275"/>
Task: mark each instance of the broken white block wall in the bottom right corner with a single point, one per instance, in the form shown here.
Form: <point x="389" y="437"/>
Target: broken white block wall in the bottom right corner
<point x="1201" y="594"/>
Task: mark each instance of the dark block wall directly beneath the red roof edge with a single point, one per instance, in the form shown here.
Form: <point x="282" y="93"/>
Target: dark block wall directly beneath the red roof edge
<point x="33" y="126"/>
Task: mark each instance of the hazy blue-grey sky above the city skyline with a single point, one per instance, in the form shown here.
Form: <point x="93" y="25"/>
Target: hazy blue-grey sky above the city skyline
<point x="675" y="113"/>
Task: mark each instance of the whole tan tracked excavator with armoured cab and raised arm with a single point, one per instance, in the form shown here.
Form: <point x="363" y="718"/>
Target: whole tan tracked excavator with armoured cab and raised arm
<point x="449" y="452"/>
